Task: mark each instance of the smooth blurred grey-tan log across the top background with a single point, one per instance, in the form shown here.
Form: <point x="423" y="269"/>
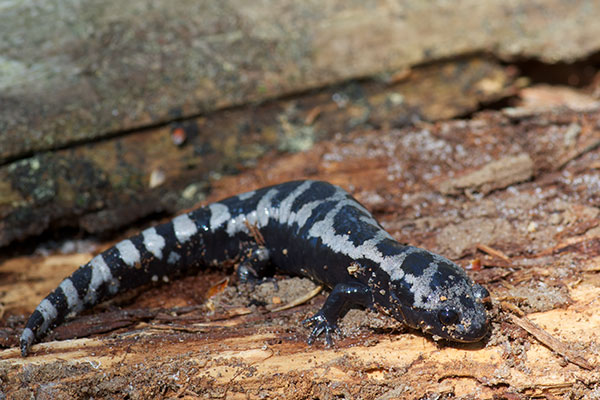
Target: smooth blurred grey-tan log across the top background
<point x="76" y="70"/>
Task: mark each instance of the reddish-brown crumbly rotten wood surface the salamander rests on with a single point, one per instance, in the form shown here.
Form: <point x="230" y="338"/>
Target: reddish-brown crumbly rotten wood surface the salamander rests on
<point x="532" y="237"/>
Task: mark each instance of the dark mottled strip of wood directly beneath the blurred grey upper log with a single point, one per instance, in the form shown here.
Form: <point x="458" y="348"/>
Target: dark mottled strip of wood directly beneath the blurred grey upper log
<point x="105" y="185"/>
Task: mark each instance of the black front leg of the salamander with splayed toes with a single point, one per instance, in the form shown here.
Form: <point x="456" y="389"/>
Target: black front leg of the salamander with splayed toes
<point x="342" y="296"/>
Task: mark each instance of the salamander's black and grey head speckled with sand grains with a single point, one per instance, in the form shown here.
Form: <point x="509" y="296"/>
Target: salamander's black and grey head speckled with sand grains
<point x="439" y="298"/>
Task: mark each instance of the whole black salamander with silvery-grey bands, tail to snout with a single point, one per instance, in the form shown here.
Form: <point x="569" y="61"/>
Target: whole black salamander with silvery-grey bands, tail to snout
<point x="309" y="228"/>
